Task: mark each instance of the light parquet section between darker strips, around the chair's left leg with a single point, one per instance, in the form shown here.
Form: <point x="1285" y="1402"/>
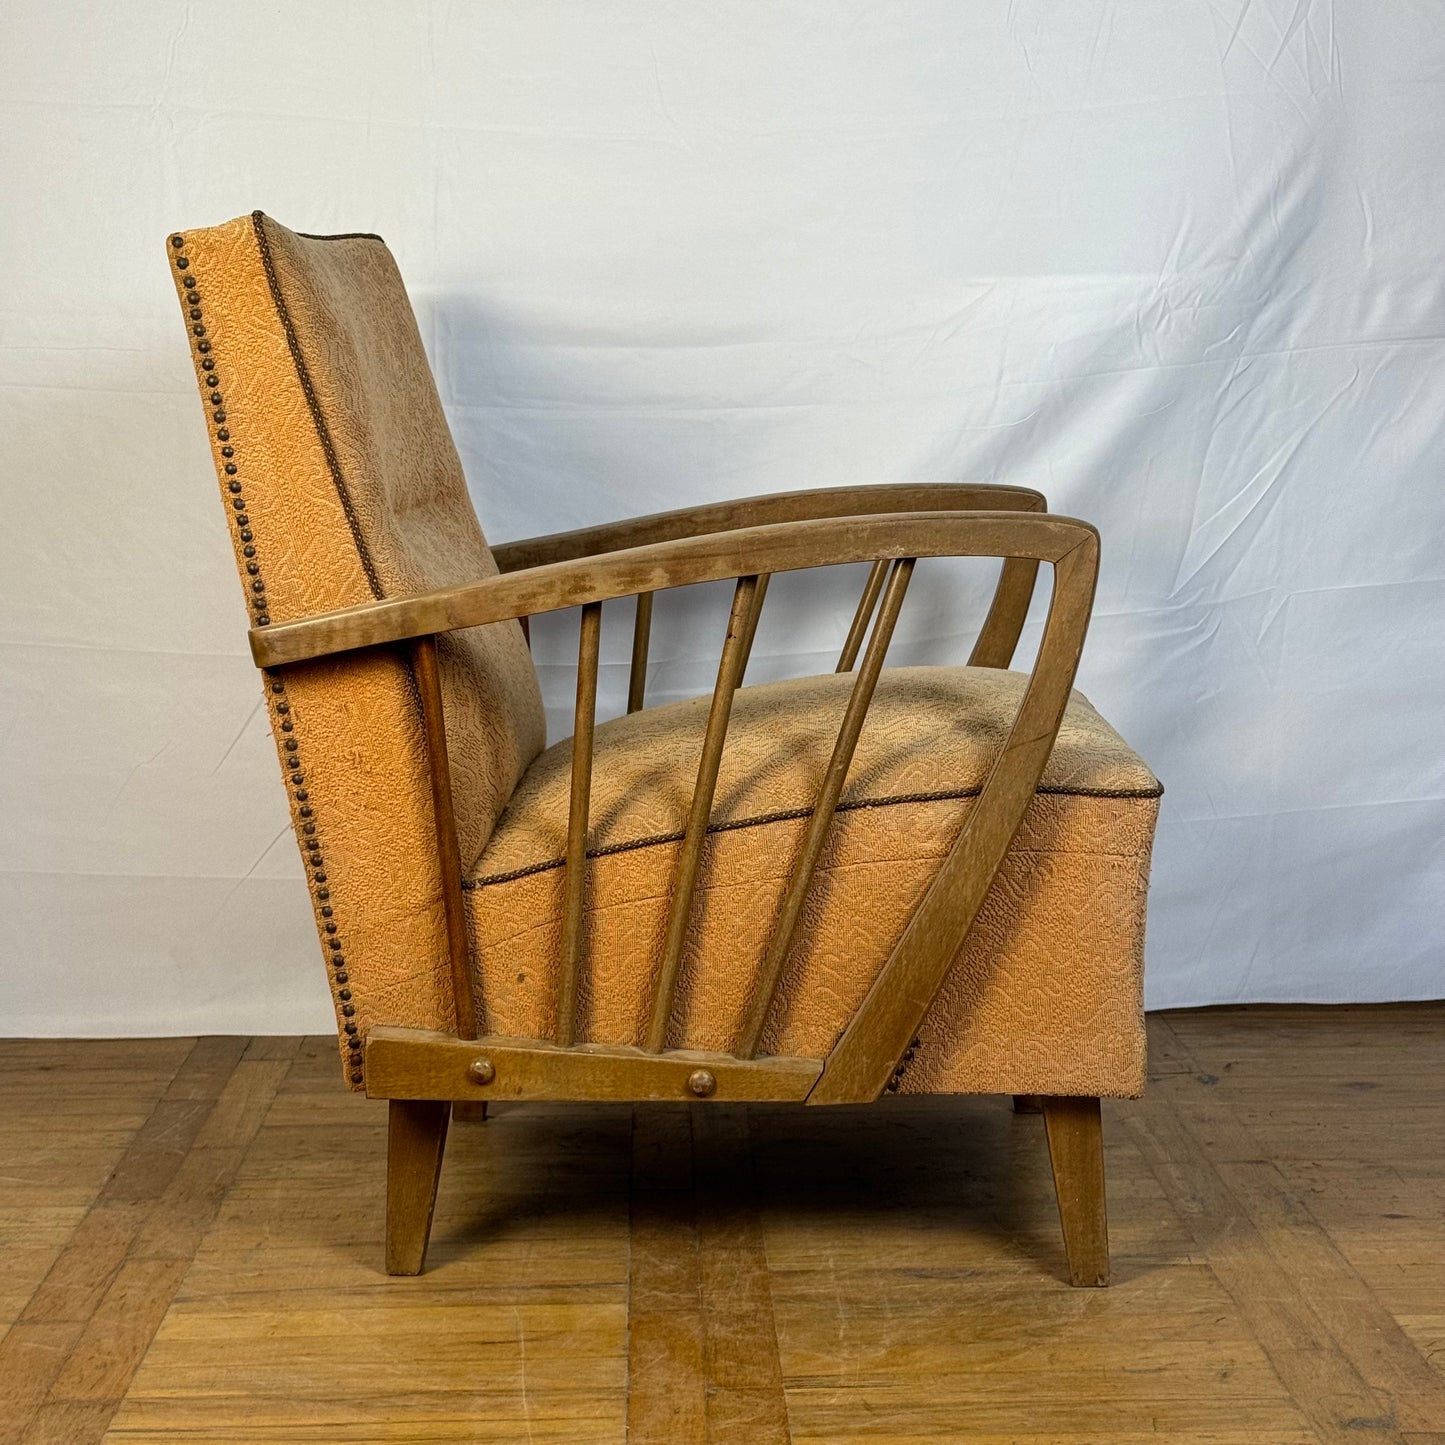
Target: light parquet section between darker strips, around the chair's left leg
<point x="287" y="1329"/>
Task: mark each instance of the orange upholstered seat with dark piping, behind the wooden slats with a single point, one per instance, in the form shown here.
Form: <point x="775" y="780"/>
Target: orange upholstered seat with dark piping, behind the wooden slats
<point x="1047" y="992"/>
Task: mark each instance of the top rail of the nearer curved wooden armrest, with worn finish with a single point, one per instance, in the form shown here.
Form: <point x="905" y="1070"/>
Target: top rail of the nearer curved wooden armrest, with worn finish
<point x="745" y="553"/>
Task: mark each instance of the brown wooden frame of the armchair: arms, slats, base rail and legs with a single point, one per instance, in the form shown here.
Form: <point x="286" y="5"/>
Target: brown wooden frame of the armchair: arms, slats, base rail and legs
<point x="424" y="1073"/>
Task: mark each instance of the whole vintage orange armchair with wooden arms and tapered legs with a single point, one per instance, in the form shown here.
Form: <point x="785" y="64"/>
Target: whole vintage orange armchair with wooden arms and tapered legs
<point x="820" y="891"/>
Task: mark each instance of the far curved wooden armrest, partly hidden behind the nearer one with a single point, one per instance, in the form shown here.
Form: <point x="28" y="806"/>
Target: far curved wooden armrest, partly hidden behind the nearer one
<point x="764" y="511"/>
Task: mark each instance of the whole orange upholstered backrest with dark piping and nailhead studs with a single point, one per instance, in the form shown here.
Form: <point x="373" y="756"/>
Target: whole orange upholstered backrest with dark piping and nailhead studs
<point x="342" y="485"/>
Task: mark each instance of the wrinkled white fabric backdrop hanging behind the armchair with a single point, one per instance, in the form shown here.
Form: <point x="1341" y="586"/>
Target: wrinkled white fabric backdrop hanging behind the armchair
<point x="1176" y="262"/>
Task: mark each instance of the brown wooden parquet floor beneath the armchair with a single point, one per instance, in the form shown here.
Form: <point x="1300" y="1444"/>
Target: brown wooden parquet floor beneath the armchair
<point x="191" y="1245"/>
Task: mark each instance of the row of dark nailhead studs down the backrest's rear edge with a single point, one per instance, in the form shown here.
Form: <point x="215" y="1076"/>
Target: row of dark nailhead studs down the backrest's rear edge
<point x="281" y="707"/>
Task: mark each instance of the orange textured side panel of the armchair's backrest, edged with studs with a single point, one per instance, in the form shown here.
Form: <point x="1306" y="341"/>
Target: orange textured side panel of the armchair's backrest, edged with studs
<point x="348" y="732"/>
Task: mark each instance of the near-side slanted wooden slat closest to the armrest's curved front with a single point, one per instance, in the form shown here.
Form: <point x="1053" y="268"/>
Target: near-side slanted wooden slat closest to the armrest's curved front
<point x="824" y="808"/>
